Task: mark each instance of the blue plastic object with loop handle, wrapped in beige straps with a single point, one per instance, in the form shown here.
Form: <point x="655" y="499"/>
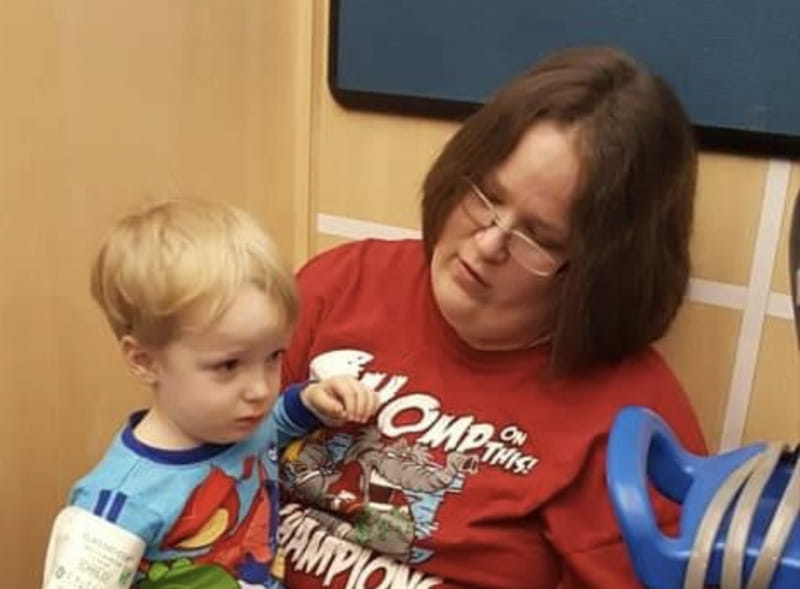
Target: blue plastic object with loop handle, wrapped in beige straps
<point x="643" y="449"/>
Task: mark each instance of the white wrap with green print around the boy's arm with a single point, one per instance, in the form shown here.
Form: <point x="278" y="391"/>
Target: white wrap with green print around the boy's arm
<point x="87" y="551"/>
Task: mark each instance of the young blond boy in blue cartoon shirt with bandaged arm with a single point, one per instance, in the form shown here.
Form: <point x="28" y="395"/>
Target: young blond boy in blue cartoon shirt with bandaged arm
<point x="186" y="496"/>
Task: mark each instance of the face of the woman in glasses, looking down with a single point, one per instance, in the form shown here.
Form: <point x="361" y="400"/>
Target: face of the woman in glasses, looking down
<point x="490" y="300"/>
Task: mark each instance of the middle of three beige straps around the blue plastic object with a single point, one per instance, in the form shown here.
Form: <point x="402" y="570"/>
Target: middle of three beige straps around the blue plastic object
<point x="741" y="522"/>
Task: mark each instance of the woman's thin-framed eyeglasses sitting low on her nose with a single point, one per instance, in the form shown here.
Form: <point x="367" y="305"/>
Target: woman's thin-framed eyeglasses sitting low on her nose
<point x="525" y="250"/>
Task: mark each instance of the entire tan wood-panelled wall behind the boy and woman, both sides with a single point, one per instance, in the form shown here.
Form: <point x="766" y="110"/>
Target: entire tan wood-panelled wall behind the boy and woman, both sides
<point x="106" y="102"/>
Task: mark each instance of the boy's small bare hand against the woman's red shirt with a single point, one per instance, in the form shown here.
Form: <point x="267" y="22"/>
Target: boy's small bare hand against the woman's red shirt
<point x="339" y="399"/>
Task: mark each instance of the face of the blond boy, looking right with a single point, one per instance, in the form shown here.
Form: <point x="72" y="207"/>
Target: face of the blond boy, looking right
<point x="219" y="384"/>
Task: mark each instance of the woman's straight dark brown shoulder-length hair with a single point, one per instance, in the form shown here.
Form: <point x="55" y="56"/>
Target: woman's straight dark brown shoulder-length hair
<point x="631" y="220"/>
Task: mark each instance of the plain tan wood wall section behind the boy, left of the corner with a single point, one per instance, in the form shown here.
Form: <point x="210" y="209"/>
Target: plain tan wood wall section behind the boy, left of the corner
<point x="104" y="103"/>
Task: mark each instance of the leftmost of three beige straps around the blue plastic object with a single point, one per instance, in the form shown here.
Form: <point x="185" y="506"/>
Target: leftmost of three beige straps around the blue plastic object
<point x="709" y="525"/>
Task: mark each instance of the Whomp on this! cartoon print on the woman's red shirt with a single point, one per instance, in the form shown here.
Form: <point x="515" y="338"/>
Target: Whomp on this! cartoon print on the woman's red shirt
<point x="385" y="490"/>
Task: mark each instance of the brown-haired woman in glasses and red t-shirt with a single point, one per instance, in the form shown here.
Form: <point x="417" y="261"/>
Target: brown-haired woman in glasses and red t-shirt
<point x="555" y="224"/>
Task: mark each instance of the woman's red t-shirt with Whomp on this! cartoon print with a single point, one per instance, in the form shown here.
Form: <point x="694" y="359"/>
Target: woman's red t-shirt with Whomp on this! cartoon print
<point x="476" y="471"/>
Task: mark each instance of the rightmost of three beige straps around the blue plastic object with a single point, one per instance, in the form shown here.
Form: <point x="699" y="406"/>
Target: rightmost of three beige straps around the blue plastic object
<point x="777" y="534"/>
